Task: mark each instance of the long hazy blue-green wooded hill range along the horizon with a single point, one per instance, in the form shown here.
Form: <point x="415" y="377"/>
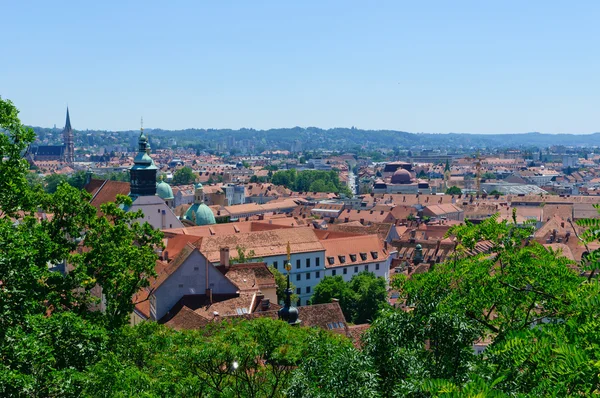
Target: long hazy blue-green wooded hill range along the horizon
<point x="348" y="138"/>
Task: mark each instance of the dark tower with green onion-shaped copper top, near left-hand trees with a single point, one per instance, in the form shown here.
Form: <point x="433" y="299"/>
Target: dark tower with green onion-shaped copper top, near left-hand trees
<point x="143" y="173"/>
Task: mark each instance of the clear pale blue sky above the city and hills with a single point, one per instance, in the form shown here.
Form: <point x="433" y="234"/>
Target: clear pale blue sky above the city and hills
<point x="435" y="66"/>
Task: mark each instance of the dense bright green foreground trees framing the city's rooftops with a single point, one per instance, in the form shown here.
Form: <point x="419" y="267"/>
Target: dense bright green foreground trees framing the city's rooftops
<point x="536" y="309"/>
